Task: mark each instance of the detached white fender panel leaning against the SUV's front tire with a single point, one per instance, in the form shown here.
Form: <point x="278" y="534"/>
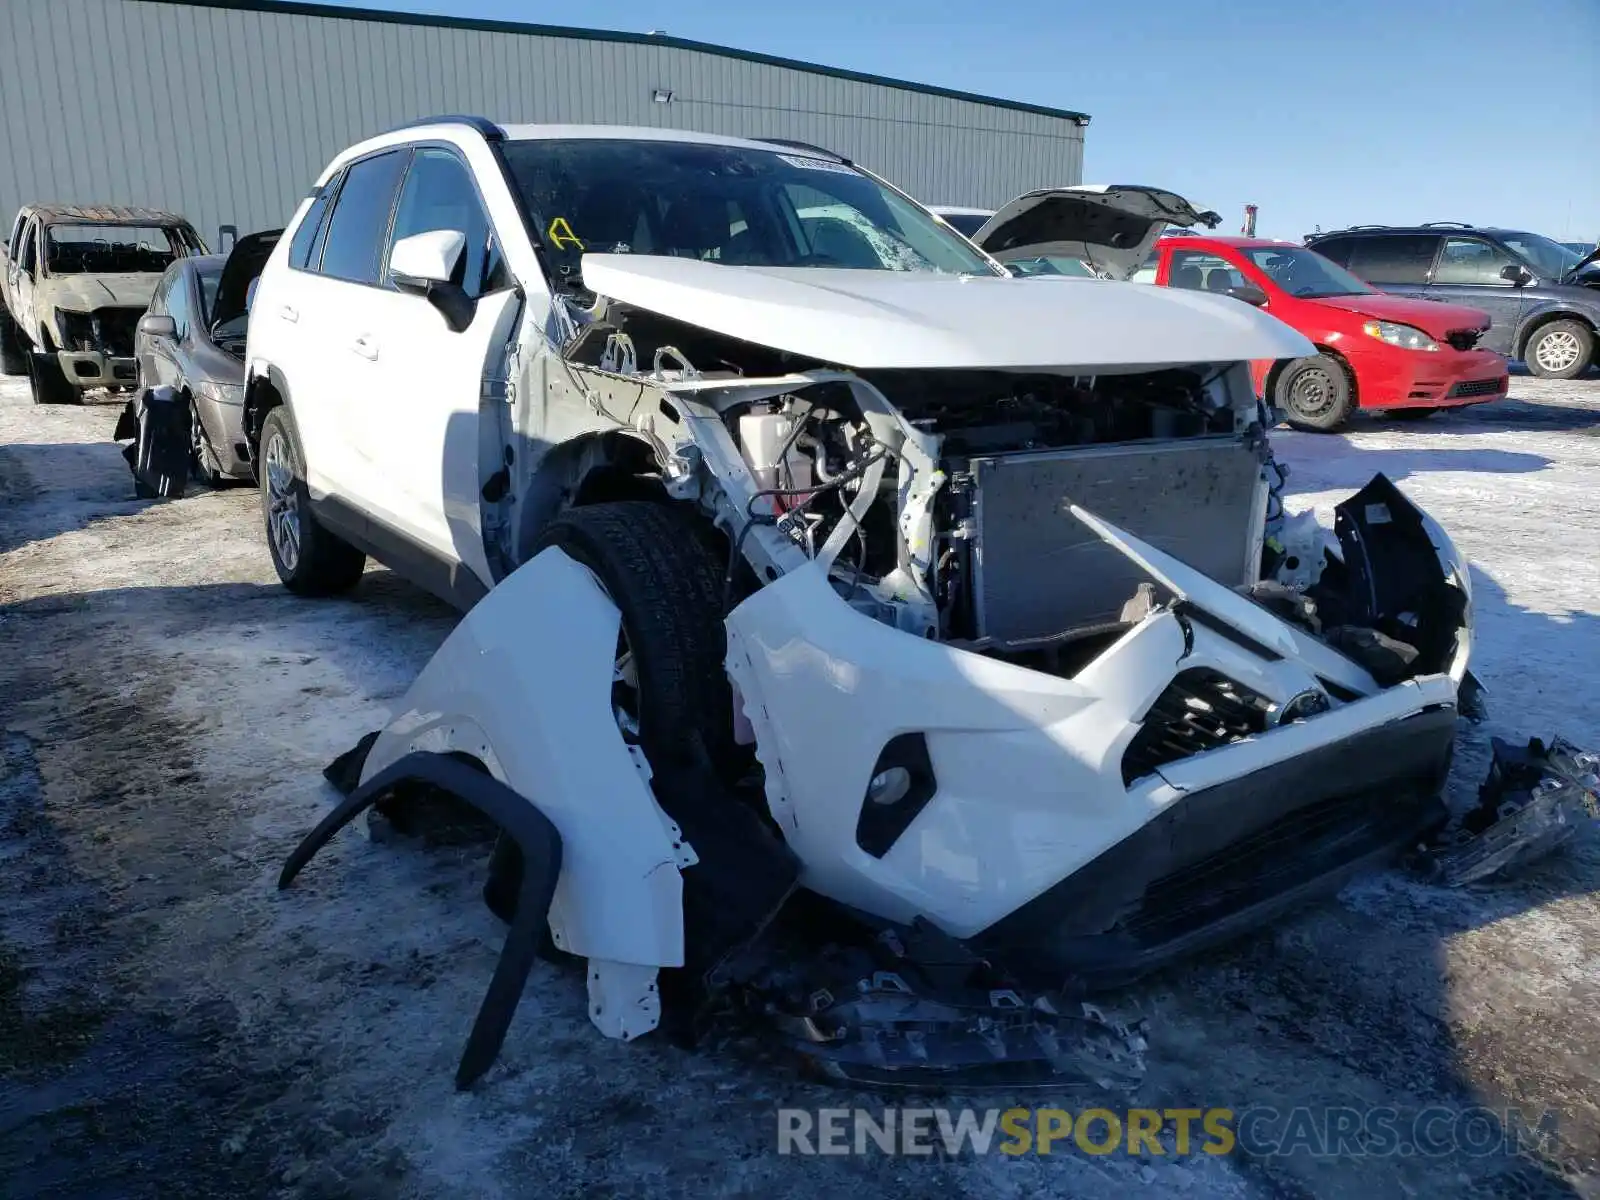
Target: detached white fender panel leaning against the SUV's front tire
<point x="524" y="684"/>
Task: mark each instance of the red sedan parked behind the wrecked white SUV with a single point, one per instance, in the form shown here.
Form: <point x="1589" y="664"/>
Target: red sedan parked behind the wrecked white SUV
<point x="1377" y="351"/>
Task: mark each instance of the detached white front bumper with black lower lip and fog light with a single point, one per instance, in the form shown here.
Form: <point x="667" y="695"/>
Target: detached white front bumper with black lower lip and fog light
<point x="1039" y="818"/>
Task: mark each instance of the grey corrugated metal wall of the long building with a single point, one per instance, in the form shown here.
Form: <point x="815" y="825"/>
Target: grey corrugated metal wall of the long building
<point x="228" y="116"/>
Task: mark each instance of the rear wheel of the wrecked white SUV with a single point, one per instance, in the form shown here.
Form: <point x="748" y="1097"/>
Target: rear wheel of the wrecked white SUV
<point x="319" y="562"/>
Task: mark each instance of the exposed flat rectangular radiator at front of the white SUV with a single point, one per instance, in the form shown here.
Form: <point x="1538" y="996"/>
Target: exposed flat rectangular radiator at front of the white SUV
<point x="1039" y="574"/>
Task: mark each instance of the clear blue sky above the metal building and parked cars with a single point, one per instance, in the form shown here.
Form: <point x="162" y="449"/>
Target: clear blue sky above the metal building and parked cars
<point x="1330" y="113"/>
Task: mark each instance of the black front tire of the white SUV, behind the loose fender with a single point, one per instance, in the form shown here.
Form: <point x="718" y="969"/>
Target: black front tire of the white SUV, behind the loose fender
<point x="666" y="582"/>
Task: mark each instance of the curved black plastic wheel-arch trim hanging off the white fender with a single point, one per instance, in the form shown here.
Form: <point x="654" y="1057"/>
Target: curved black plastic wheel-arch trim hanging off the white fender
<point x="542" y="865"/>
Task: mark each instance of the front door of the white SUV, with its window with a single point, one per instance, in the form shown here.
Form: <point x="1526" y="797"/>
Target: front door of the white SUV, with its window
<point x="428" y="380"/>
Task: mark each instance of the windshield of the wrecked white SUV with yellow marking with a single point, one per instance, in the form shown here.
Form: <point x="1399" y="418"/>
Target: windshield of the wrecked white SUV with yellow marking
<point x="724" y="204"/>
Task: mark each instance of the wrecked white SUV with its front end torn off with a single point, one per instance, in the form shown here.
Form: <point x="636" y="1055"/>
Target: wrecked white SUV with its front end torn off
<point x="862" y="630"/>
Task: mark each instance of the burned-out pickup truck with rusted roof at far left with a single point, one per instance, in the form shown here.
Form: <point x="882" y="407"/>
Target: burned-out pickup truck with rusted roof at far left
<point x="76" y="282"/>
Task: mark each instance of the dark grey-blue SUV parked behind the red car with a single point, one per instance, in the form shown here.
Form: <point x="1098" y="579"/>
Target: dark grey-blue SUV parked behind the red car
<point x="1543" y="300"/>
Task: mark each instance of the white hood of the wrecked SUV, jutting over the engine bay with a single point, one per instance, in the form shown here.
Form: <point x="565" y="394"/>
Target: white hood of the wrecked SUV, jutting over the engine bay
<point x="890" y="321"/>
